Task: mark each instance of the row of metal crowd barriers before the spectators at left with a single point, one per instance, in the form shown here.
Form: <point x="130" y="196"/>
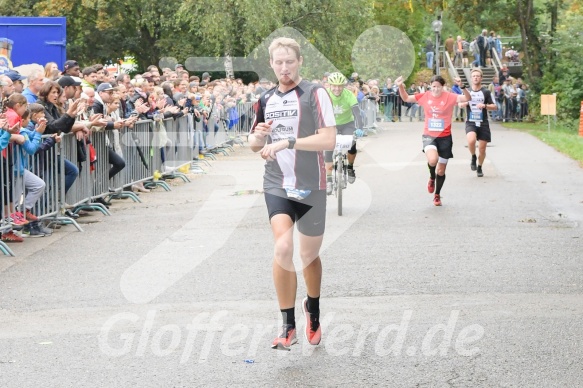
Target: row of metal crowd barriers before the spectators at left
<point x="146" y="160"/>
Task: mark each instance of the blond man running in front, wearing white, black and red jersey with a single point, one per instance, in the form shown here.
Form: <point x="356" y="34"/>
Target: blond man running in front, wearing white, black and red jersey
<point x="294" y="123"/>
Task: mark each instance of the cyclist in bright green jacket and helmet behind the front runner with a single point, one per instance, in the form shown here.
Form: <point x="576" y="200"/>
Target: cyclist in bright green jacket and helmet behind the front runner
<point x="348" y="119"/>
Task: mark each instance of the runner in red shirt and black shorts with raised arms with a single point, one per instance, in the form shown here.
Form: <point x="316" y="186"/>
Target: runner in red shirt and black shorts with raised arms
<point x="437" y="142"/>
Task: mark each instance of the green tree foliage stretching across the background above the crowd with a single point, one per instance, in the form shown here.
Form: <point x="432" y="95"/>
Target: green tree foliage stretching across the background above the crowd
<point x="104" y="31"/>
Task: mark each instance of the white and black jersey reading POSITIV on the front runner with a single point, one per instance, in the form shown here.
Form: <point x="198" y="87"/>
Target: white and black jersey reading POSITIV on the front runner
<point x="297" y="113"/>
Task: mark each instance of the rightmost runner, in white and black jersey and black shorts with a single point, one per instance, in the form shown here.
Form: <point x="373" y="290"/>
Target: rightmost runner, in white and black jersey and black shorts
<point x="477" y="125"/>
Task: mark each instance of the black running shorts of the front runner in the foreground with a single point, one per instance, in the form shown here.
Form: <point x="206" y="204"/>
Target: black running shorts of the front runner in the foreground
<point x="309" y="213"/>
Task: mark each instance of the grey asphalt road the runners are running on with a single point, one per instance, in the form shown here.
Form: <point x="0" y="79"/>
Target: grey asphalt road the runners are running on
<point x="176" y="291"/>
